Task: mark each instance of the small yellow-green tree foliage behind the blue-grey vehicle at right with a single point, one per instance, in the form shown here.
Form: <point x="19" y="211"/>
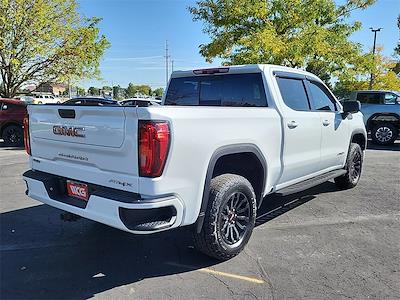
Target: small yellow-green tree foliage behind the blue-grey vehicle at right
<point x="358" y="78"/>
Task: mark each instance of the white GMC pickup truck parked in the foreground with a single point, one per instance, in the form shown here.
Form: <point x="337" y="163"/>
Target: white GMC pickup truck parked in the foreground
<point x="222" y="140"/>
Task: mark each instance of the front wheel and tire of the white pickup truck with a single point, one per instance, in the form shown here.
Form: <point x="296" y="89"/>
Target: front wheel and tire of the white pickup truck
<point x="353" y="167"/>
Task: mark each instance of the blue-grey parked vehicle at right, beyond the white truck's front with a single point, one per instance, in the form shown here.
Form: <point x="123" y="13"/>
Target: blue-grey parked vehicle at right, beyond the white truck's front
<point x="381" y="110"/>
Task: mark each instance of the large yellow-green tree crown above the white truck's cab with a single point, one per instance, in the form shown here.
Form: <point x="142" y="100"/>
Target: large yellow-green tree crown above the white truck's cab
<point x="310" y="34"/>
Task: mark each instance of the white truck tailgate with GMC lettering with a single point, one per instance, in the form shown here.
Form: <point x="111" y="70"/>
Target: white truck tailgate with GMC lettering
<point x="88" y="143"/>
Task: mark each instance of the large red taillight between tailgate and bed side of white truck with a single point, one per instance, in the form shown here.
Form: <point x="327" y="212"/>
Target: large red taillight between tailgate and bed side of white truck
<point x="154" y="139"/>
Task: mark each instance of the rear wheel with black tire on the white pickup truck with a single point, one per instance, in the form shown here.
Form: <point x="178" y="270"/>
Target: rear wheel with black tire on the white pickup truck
<point x="229" y="218"/>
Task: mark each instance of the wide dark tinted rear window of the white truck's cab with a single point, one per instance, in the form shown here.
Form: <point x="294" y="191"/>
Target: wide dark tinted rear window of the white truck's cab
<point x="221" y="90"/>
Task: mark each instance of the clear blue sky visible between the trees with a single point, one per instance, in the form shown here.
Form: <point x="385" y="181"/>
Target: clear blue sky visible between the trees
<point x="138" y="29"/>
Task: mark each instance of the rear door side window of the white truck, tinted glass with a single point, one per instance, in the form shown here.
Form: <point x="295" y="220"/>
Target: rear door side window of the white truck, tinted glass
<point x="293" y="93"/>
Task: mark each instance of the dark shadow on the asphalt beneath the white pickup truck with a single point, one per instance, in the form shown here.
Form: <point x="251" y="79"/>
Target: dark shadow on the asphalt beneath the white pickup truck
<point x="43" y="257"/>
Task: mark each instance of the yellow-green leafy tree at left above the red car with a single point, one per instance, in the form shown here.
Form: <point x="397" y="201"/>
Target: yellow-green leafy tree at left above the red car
<point x="46" y="41"/>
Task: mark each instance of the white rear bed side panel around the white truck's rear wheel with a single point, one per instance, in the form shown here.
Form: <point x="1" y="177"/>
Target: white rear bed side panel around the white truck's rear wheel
<point x="196" y="133"/>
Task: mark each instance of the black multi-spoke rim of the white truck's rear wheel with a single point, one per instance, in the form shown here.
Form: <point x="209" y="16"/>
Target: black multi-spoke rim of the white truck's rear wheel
<point x="235" y="218"/>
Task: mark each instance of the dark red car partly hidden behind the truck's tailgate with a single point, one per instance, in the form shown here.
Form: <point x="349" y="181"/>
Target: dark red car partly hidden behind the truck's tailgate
<point x="12" y="113"/>
